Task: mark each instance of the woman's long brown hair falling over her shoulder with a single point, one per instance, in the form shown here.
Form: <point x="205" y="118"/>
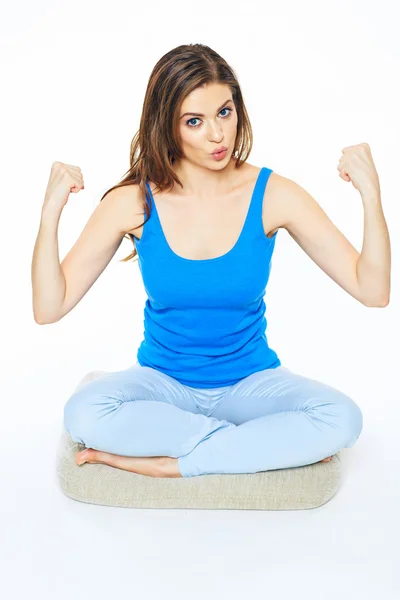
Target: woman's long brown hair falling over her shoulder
<point x="155" y="146"/>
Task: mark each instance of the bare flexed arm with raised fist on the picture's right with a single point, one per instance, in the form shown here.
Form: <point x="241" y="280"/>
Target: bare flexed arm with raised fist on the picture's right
<point x="364" y="276"/>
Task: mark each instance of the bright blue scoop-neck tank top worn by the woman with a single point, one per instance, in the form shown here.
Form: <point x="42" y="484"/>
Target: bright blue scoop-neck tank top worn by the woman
<point x="204" y="320"/>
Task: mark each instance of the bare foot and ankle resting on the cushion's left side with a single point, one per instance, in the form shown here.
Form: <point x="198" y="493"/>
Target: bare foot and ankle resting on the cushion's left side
<point x="153" y="466"/>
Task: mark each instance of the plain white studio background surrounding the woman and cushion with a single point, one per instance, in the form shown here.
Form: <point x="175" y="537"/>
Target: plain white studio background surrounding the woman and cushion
<point x="316" y="77"/>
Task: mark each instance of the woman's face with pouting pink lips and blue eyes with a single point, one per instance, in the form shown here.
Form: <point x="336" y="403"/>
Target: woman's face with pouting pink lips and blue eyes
<point x="214" y="126"/>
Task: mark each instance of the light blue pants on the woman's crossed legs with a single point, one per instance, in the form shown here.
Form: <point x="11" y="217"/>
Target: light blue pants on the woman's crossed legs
<point x="272" y="419"/>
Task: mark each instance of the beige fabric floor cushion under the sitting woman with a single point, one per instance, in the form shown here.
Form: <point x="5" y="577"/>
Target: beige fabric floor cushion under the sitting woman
<point x="302" y="487"/>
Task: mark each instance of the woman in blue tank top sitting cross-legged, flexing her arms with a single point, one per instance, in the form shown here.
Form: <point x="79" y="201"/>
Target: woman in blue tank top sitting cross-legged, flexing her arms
<point x="207" y="393"/>
